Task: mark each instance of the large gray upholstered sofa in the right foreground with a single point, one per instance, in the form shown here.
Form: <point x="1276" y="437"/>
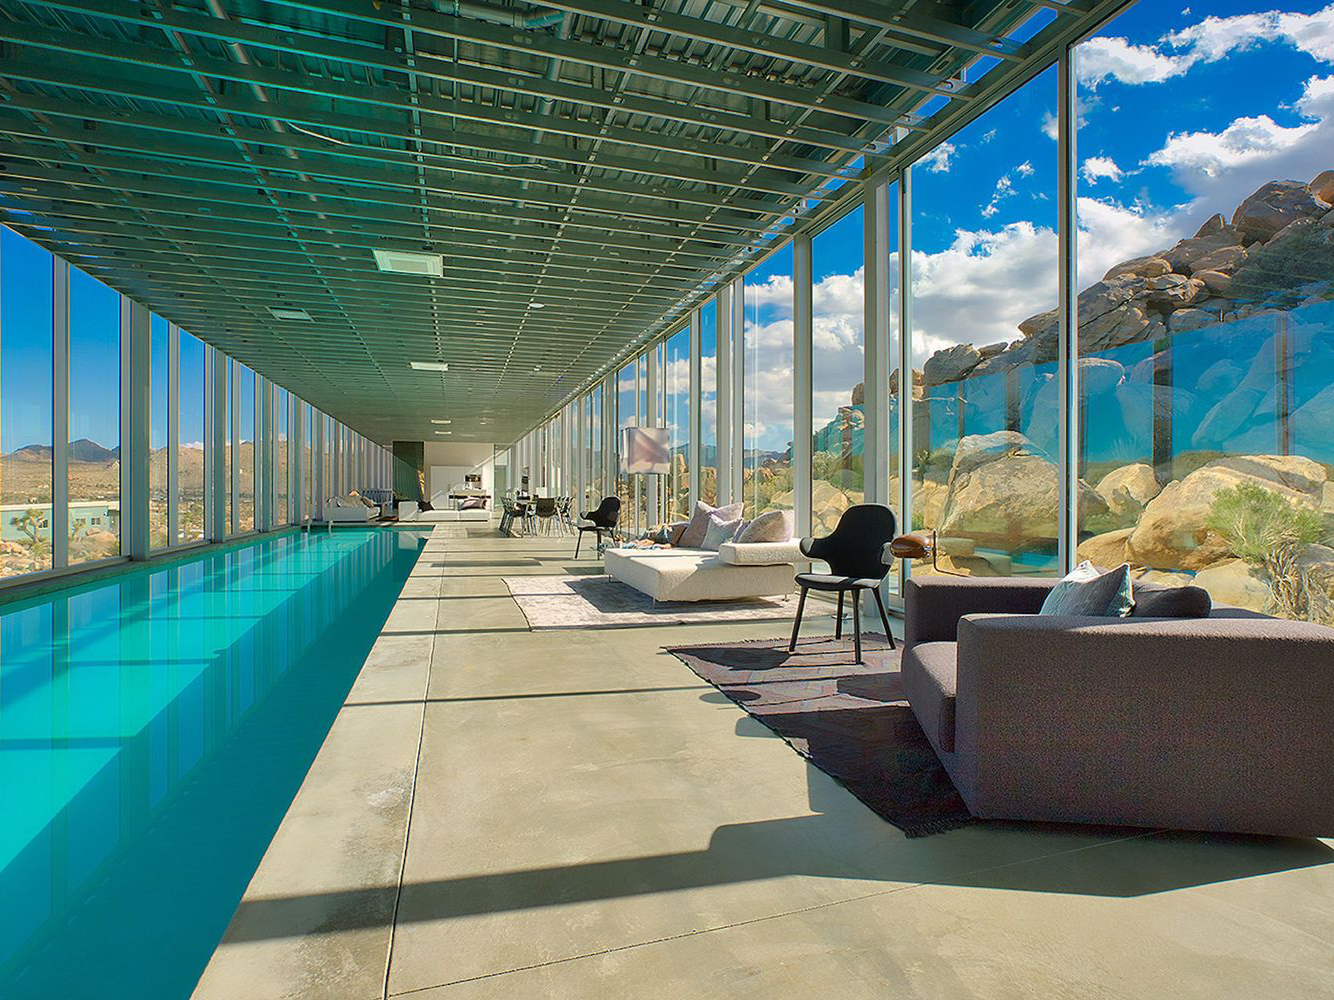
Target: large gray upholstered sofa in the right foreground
<point x="1220" y="723"/>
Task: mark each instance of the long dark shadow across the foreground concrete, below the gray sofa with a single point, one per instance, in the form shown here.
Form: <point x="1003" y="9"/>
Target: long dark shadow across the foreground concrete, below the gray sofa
<point x="1064" y="861"/>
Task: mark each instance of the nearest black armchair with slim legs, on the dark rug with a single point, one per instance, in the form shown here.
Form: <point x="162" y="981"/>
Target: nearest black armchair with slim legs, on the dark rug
<point x="856" y="557"/>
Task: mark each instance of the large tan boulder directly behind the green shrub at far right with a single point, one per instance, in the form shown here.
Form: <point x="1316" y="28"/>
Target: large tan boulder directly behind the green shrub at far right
<point x="1173" y="530"/>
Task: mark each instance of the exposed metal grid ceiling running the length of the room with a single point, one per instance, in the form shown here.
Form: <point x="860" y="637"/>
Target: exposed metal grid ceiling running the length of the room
<point x="588" y="169"/>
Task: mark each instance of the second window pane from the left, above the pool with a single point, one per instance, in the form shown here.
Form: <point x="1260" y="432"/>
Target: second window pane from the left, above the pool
<point x="94" y="447"/>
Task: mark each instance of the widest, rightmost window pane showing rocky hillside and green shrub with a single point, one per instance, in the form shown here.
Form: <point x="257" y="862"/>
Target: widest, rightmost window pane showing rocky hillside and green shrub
<point x="1207" y="306"/>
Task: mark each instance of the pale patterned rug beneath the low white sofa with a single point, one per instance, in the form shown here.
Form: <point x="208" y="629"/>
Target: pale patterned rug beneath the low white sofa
<point x="600" y="602"/>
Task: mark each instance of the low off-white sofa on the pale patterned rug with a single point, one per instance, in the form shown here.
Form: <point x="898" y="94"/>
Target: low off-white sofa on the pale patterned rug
<point x="734" y="573"/>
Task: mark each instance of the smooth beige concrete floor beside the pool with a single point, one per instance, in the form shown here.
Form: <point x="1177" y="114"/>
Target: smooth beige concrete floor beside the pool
<point x="506" y="814"/>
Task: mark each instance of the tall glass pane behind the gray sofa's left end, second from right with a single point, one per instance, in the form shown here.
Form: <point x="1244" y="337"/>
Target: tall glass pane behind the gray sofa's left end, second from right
<point x="984" y="359"/>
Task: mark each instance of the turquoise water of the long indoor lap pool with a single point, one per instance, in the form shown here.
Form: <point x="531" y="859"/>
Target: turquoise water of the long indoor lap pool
<point x="154" y="730"/>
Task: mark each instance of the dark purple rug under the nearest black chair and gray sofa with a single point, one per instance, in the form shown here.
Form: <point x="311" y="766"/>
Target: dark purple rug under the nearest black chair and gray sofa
<point x="852" y="722"/>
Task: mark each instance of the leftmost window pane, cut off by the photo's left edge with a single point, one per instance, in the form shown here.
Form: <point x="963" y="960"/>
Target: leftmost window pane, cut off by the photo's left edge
<point x="26" y="405"/>
